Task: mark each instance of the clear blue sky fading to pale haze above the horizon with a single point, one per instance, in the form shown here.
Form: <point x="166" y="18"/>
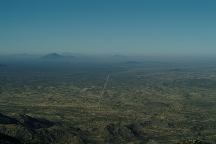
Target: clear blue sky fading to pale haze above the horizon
<point x="144" y="27"/>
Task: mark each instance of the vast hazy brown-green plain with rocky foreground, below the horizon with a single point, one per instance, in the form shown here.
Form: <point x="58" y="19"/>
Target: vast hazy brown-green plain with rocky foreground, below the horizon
<point x="60" y="102"/>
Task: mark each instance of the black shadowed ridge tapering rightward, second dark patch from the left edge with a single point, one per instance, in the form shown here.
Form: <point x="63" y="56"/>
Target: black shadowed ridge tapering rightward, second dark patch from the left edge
<point x="34" y="123"/>
